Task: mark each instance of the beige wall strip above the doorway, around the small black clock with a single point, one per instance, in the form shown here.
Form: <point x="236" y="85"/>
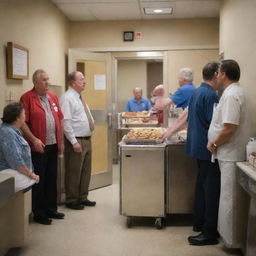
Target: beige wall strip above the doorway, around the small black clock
<point x="158" y="33"/>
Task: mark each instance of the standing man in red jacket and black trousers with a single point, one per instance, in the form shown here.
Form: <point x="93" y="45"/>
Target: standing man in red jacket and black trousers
<point x="44" y="134"/>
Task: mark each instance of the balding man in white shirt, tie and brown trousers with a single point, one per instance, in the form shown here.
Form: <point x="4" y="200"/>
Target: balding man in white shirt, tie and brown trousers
<point x="78" y="125"/>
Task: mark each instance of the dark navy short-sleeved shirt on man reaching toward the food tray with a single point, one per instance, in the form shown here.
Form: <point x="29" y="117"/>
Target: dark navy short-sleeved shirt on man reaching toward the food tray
<point x="200" y="112"/>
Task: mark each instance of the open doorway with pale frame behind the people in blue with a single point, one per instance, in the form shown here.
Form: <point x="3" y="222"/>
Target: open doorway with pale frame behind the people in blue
<point x="130" y="70"/>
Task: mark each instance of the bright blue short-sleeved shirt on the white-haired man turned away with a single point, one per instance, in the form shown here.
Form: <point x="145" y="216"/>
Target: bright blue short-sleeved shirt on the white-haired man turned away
<point x="181" y="97"/>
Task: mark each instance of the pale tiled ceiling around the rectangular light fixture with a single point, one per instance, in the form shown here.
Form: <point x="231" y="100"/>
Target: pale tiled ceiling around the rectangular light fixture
<point x="103" y="10"/>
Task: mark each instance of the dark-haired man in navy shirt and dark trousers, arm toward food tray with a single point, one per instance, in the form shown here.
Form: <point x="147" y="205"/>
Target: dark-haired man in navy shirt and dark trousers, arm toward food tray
<point x="207" y="191"/>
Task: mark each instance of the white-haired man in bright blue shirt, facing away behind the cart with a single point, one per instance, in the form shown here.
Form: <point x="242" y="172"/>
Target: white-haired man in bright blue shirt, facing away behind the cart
<point x="181" y="97"/>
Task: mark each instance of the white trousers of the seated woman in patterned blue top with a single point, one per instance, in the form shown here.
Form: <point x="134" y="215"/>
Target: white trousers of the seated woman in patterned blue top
<point x="20" y="180"/>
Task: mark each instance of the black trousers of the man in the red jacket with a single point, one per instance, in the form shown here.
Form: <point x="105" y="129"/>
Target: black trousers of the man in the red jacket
<point x="44" y="194"/>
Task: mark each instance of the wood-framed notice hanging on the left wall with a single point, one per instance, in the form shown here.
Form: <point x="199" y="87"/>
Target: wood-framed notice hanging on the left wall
<point x="17" y="61"/>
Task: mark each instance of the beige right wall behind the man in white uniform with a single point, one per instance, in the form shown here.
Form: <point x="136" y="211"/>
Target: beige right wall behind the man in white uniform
<point x="238" y="40"/>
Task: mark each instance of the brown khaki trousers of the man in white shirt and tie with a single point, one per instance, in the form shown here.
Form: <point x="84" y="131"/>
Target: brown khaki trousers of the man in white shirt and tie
<point x="77" y="171"/>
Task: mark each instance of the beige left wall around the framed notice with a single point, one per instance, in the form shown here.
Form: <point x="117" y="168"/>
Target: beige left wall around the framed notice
<point x="40" y="27"/>
